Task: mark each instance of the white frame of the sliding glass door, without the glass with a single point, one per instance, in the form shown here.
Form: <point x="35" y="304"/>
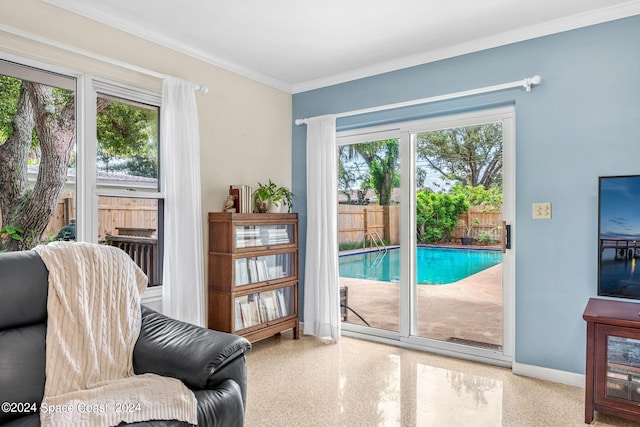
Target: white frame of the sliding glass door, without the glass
<point x="406" y="337"/>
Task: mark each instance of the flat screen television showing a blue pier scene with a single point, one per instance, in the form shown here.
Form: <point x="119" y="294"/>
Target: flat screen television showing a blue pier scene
<point x="619" y="236"/>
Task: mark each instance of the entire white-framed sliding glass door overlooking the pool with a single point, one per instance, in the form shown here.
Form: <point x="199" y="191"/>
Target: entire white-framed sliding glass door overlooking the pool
<point x="446" y="282"/>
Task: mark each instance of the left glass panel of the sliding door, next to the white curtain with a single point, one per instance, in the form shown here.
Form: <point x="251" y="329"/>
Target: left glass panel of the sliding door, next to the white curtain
<point x="369" y="233"/>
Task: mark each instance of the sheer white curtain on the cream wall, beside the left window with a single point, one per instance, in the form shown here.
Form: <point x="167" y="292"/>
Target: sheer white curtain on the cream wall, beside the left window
<point x="183" y="277"/>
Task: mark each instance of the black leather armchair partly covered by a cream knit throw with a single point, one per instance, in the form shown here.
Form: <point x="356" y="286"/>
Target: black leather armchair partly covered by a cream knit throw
<point x="211" y="363"/>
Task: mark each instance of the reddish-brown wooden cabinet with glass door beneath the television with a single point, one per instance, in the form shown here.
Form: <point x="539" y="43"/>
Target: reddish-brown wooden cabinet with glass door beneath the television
<point x="612" y="378"/>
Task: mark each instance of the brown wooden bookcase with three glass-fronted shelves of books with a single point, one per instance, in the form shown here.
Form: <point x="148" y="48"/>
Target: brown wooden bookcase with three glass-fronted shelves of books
<point x="252" y="286"/>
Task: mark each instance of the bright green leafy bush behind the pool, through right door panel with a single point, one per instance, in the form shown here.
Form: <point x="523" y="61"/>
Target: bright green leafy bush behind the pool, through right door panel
<point x="437" y="215"/>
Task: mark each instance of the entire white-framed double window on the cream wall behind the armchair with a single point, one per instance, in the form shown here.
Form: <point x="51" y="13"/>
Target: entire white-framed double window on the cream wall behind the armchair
<point x="106" y="188"/>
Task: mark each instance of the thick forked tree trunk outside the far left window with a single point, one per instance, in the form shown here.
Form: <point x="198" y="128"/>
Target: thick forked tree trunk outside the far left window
<point x="51" y="113"/>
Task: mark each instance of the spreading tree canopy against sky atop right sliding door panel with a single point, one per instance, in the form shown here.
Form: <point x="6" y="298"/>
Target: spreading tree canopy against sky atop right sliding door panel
<point x="470" y="155"/>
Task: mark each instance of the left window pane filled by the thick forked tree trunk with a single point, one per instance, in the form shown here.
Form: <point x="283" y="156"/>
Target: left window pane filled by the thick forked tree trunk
<point x="37" y="156"/>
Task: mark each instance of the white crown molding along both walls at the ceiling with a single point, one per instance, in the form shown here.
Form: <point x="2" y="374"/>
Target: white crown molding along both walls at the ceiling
<point x="611" y="13"/>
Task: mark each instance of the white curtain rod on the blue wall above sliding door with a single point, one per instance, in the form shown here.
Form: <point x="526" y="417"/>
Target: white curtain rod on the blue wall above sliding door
<point x="526" y="83"/>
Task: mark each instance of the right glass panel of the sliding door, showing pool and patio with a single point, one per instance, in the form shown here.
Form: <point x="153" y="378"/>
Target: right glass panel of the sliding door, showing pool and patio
<point x="459" y="197"/>
